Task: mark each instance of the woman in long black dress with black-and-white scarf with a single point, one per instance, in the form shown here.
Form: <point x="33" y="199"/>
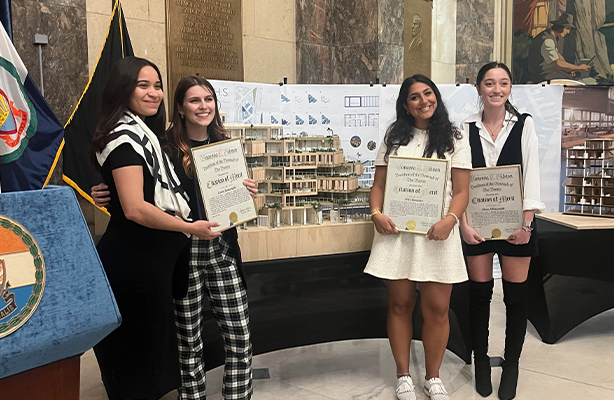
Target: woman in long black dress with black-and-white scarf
<point x="145" y="236"/>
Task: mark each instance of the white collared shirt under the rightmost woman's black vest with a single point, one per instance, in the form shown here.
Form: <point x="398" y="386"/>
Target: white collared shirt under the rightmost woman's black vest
<point x="529" y="148"/>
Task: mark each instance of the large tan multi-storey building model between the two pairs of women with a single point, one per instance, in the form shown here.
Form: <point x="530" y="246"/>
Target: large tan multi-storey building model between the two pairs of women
<point x="296" y="175"/>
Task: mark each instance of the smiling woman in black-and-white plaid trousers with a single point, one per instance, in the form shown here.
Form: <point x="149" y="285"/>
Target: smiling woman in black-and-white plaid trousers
<point x="215" y="272"/>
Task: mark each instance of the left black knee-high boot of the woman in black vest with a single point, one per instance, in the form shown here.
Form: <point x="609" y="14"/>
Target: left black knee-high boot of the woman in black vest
<point x="479" y="316"/>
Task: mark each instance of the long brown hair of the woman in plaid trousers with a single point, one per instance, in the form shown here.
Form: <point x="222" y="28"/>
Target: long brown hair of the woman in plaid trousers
<point x="178" y="133"/>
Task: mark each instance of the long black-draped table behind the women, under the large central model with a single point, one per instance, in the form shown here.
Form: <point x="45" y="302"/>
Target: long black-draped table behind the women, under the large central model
<point x="303" y="301"/>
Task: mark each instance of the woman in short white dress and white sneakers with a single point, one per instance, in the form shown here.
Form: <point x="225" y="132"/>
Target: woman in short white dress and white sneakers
<point x="422" y="129"/>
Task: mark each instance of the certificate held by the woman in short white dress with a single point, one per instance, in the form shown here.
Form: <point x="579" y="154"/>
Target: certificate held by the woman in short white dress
<point x="415" y="192"/>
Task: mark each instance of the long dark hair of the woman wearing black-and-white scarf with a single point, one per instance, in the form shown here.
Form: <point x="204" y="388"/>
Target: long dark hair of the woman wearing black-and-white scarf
<point x="115" y="100"/>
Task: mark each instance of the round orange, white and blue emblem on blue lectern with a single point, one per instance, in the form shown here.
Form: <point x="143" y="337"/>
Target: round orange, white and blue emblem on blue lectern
<point x="22" y="275"/>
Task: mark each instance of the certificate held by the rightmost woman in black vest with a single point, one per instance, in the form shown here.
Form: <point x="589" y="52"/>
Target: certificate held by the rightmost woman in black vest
<point x="495" y="201"/>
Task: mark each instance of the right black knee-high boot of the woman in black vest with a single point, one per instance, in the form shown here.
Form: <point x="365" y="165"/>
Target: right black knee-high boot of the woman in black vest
<point x="515" y="299"/>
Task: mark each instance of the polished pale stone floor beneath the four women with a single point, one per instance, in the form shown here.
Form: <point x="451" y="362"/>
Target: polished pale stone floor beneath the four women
<point x="579" y="366"/>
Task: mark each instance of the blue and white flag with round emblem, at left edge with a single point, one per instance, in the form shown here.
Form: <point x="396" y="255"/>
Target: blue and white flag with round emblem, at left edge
<point x="30" y="133"/>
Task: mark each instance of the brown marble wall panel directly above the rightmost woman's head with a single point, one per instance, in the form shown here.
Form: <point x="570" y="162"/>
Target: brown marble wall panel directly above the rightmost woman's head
<point x="475" y="40"/>
